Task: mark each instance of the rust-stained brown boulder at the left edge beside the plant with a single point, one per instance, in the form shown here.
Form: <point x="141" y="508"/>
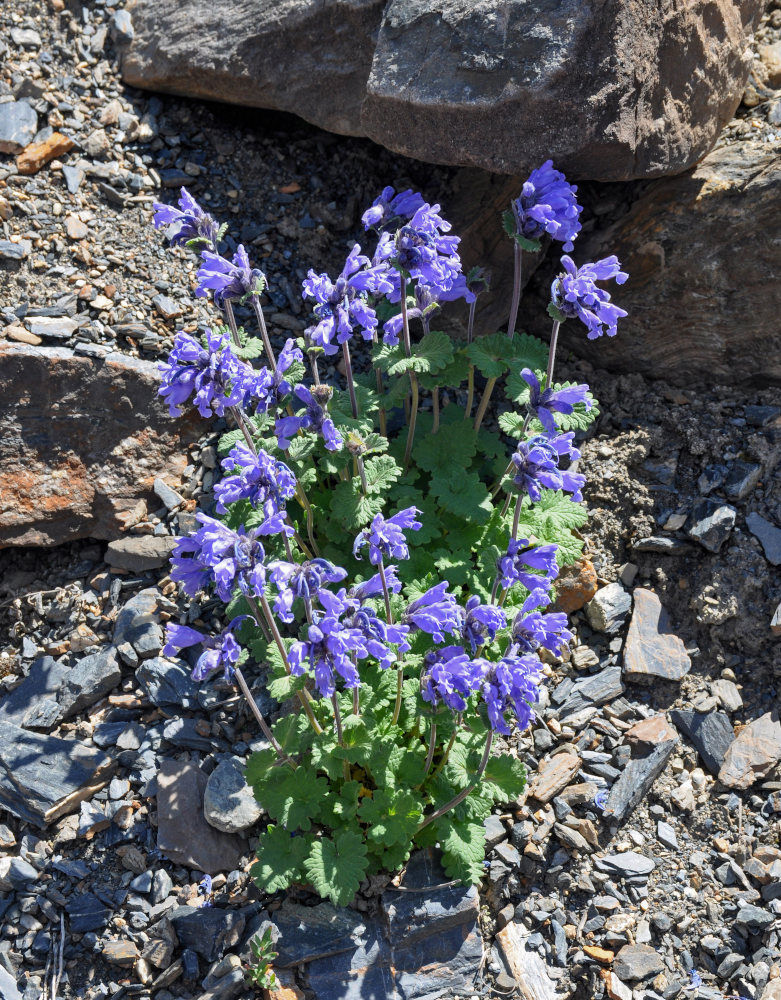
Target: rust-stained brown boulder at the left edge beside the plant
<point x="83" y="440"/>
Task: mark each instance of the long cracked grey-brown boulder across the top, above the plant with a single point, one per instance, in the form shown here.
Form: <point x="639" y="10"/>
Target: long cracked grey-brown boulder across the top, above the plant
<point x="616" y="90"/>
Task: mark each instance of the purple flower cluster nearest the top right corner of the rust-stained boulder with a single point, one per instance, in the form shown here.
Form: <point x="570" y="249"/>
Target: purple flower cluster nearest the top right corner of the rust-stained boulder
<point x="212" y="375"/>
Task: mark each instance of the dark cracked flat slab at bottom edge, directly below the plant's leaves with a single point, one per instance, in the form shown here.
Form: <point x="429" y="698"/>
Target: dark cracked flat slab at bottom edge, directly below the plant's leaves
<point x="426" y="944"/>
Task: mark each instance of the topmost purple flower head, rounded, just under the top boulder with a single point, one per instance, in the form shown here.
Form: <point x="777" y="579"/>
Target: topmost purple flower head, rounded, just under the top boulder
<point x="547" y="205"/>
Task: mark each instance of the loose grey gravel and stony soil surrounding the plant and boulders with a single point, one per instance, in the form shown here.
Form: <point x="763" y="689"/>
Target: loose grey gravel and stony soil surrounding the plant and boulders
<point x="294" y="195"/>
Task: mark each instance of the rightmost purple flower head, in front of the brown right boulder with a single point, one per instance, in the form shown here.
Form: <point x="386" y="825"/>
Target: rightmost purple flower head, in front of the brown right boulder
<point x="575" y="294"/>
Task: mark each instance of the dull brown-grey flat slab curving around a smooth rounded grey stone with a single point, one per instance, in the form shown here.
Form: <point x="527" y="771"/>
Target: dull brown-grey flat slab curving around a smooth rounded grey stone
<point x="183" y="834"/>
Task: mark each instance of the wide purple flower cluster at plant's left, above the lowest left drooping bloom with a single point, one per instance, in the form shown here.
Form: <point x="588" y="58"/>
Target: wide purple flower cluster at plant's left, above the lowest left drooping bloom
<point x="216" y="555"/>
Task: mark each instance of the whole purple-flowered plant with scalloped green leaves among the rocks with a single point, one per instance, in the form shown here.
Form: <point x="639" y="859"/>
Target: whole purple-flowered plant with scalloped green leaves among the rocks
<point x="389" y="566"/>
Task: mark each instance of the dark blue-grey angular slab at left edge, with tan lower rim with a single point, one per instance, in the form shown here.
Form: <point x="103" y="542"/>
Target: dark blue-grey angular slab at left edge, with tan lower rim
<point x="44" y="777"/>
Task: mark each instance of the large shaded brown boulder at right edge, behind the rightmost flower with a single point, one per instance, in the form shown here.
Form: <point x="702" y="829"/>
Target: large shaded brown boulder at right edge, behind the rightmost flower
<point x="703" y="253"/>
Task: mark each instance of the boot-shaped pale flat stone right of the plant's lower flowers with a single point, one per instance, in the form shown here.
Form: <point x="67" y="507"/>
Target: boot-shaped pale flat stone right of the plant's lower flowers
<point x="652" y="650"/>
